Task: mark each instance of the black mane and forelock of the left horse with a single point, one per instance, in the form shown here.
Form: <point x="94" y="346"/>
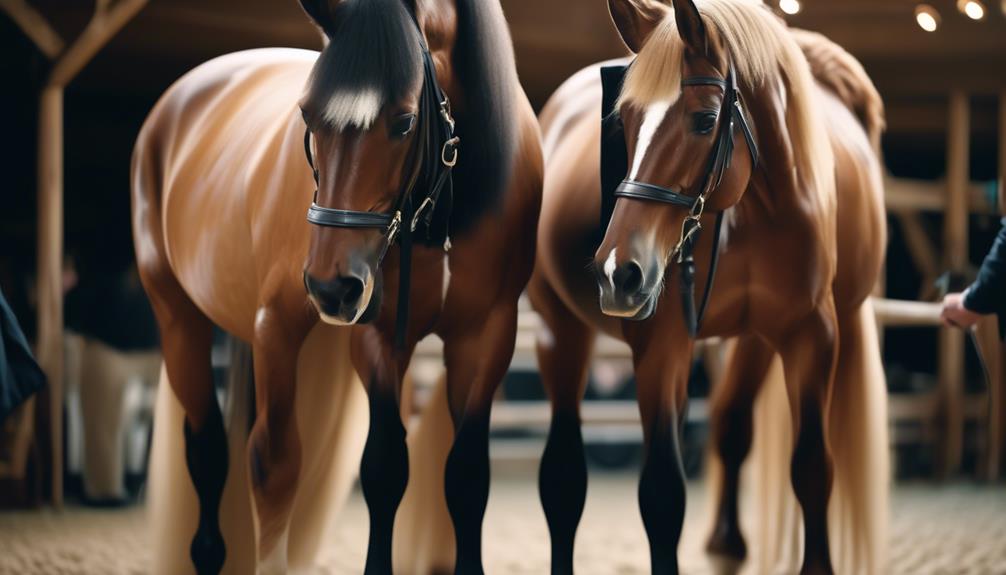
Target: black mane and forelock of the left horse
<point x="376" y="45"/>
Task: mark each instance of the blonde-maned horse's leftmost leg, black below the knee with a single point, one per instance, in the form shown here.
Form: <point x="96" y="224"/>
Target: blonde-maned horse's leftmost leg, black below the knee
<point x="564" y="350"/>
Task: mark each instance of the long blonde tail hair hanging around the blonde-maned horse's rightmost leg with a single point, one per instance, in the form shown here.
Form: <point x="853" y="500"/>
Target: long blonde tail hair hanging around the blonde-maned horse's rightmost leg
<point x="858" y="437"/>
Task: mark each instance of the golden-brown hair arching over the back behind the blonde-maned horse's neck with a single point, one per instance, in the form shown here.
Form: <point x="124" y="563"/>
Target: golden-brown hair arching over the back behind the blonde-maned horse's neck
<point x="843" y="74"/>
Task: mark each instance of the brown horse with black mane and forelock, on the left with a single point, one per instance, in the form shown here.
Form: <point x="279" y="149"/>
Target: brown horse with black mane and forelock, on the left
<point x="416" y="155"/>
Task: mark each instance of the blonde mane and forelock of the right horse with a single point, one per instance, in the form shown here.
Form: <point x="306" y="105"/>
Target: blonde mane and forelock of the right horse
<point x="764" y="54"/>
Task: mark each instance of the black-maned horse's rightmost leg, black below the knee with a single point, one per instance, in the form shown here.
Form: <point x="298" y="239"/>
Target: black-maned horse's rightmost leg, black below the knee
<point x="477" y="360"/>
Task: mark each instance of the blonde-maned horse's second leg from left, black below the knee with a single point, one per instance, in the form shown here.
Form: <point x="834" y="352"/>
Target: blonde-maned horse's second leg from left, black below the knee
<point x="661" y="380"/>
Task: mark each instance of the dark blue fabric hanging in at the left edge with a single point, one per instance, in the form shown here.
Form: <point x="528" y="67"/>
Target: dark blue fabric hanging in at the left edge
<point x="21" y="376"/>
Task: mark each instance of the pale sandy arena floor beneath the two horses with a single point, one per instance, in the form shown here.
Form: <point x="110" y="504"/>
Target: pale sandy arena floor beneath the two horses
<point x="952" y="529"/>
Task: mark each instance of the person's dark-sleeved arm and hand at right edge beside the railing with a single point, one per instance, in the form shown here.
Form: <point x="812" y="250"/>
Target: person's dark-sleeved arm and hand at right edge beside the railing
<point x="986" y="296"/>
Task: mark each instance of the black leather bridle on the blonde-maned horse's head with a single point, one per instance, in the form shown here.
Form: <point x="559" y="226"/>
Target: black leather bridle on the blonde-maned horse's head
<point x="732" y="116"/>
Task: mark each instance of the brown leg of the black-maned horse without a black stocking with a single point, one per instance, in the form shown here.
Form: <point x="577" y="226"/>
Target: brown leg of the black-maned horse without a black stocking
<point x="274" y="449"/>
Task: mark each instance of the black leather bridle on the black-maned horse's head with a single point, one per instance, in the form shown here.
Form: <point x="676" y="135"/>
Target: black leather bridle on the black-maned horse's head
<point x="435" y="156"/>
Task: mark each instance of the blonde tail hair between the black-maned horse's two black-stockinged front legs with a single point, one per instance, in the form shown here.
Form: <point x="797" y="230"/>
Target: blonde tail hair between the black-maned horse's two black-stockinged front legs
<point x="424" y="532"/>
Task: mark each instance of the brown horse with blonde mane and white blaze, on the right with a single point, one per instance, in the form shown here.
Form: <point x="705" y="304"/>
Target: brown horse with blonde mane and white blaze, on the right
<point x="721" y="104"/>
